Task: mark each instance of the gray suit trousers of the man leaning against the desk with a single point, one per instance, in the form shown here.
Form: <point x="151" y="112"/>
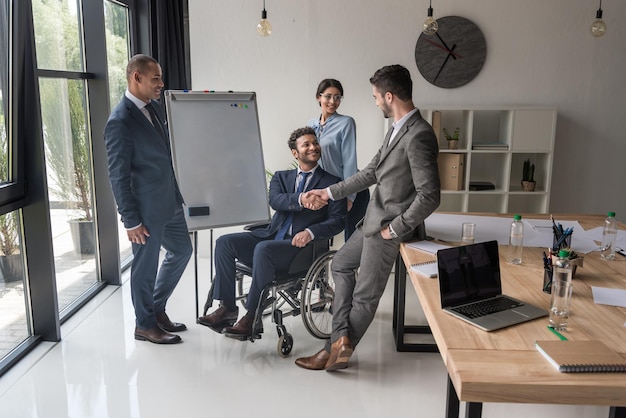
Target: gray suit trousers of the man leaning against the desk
<point x="357" y="295"/>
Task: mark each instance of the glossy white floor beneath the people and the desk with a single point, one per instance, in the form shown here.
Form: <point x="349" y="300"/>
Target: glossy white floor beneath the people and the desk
<point x="99" y="370"/>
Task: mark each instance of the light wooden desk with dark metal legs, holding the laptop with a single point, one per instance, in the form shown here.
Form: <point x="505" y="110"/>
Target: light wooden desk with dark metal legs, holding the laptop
<point x="504" y="366"/>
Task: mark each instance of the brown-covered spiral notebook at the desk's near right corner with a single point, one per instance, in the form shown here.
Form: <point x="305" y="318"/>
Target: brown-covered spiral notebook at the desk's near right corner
<point x="581" y="356"/>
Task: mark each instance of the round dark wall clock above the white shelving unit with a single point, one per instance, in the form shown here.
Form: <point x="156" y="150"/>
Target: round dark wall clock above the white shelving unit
<point x="454" y="55"/>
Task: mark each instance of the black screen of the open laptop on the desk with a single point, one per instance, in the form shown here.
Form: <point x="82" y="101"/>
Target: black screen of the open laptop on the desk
<point x="469" y="273"/>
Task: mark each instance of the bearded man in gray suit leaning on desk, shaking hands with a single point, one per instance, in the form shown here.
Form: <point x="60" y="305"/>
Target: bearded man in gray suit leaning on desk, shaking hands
<point x="407" y="191"/>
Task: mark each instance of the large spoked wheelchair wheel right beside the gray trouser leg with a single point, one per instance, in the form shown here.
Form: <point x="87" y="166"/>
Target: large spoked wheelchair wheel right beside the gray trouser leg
<point x="318" y="292"/>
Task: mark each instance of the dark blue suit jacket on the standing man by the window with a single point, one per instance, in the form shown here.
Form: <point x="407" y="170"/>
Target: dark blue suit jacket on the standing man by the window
<point x="140" y="166"/>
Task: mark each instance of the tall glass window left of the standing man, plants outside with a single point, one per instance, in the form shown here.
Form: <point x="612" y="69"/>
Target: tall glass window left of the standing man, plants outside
<point x="67" y="141"/>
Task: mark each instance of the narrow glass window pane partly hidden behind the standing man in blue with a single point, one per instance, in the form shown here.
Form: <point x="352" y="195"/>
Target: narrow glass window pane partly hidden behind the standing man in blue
<point x="117" y="24"/>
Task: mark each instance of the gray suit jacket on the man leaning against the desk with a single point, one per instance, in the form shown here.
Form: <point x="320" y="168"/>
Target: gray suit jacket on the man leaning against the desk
<point x="406" y="176"/>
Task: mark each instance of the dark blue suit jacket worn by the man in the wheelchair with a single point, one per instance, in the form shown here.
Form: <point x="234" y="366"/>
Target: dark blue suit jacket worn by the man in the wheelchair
<point x="324" y="223"/>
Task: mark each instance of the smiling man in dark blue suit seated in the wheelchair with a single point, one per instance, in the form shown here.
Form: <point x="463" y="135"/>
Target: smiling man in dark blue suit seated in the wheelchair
<point x="295" y="224"/>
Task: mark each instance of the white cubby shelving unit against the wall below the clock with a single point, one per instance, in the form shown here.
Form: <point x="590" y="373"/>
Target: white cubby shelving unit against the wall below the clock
<point x="528" y="133"/>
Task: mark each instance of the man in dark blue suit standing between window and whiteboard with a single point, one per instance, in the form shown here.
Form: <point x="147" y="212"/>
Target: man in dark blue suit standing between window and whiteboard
<point x="148" y="199"/>
